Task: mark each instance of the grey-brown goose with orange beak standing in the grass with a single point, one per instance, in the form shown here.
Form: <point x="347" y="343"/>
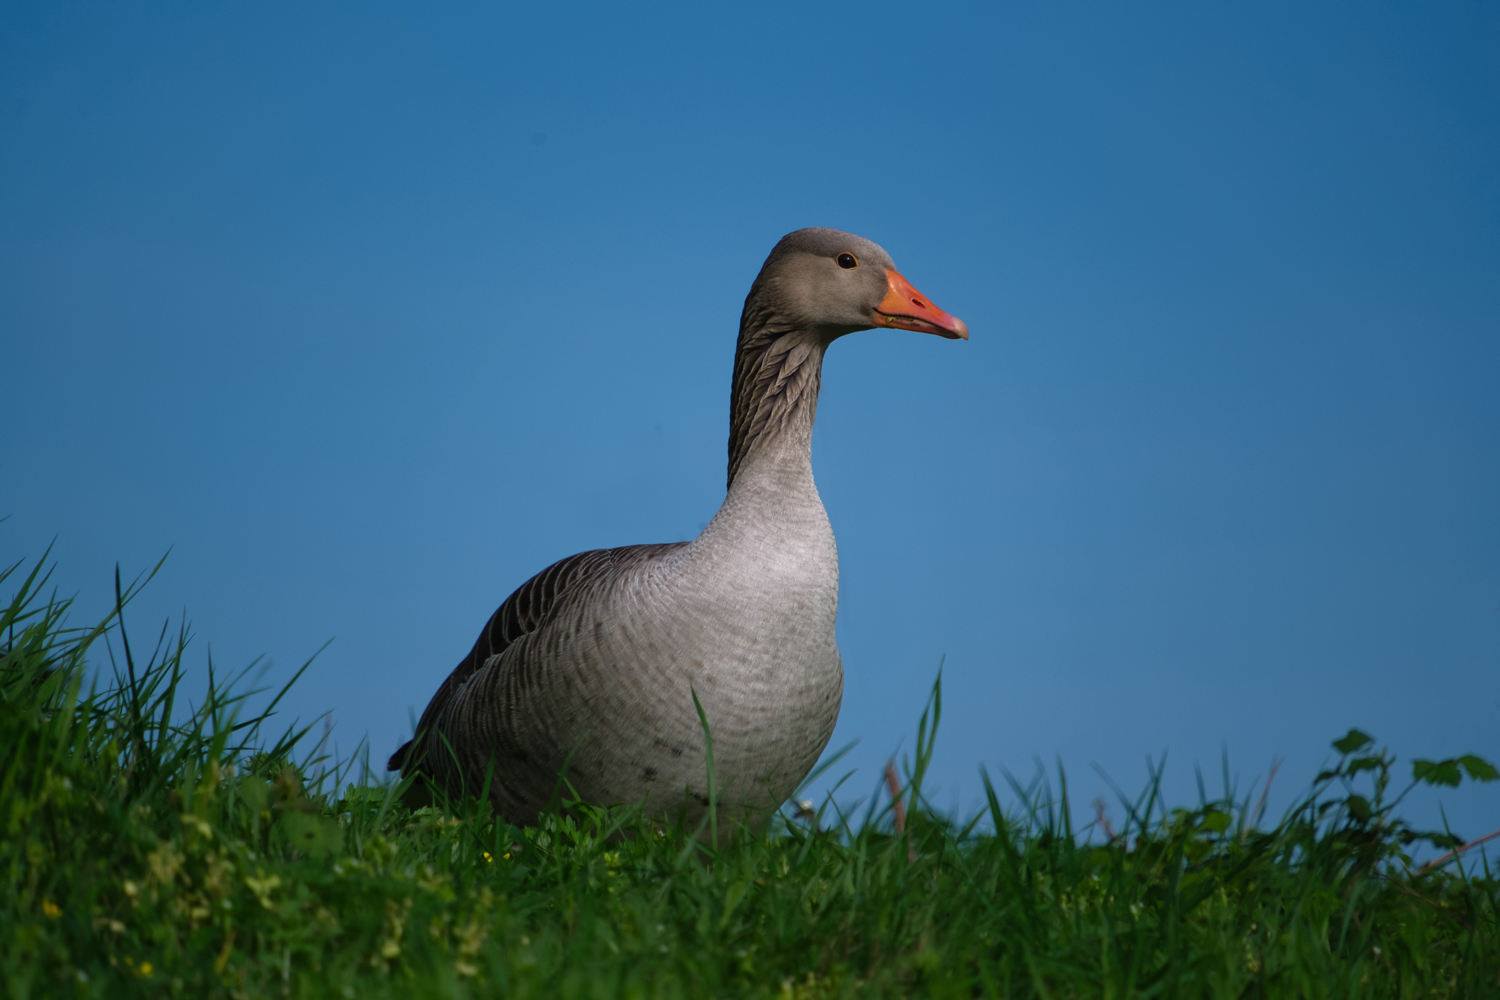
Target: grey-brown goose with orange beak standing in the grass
<point x="595" y="669"/>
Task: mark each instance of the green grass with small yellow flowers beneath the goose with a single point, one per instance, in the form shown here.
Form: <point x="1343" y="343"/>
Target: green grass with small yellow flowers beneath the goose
<point x="160" y="848"/>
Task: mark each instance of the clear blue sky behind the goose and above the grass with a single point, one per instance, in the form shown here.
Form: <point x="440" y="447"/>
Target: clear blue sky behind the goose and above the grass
<point x="371" y="311"/>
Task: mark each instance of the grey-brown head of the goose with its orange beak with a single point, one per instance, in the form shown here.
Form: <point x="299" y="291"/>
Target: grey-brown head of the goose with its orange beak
<point x="832" y="283"/>
